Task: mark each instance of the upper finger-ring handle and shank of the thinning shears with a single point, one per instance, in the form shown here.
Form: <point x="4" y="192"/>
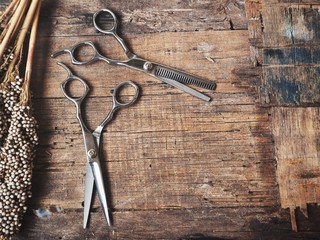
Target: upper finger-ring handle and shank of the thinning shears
<point x="104" y="15"/>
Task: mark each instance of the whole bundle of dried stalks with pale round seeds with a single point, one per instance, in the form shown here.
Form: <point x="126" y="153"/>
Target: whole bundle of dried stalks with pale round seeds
<point x="18" y="137"/>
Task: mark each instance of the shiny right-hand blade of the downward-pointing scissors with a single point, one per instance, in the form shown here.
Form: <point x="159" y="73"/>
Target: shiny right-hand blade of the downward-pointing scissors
<point x="98" y="179"/>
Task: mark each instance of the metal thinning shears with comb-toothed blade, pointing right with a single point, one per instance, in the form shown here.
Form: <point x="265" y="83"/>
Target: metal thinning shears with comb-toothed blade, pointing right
<point x="166" y="74"/>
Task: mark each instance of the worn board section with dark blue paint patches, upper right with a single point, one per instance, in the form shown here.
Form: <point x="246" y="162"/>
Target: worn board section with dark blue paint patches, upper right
<point x="290" y="57"/>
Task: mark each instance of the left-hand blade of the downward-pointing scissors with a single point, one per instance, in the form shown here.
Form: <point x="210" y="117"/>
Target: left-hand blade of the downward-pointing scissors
<point x="89" y="183"/>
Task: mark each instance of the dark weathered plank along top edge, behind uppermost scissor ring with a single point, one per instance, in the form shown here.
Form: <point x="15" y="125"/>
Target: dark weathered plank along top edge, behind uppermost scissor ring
<point x="74" y="18"/>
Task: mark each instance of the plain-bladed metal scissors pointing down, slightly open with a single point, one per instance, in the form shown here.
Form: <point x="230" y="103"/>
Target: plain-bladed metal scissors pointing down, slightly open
<point x="92" y="140"/>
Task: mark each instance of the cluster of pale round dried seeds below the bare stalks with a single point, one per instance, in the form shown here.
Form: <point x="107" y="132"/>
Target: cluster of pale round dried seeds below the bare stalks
<point x="18" y="140"/>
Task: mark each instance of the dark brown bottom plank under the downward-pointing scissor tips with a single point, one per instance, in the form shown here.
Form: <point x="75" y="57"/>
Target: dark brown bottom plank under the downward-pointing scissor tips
<point x="203" y="223"/>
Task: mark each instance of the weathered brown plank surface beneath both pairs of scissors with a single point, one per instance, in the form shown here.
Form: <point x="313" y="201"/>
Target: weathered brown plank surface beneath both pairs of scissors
<point x="176" y="167"/>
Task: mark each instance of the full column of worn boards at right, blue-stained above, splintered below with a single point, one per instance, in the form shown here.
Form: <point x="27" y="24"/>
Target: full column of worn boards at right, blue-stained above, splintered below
<point x="290" y="72"/>
